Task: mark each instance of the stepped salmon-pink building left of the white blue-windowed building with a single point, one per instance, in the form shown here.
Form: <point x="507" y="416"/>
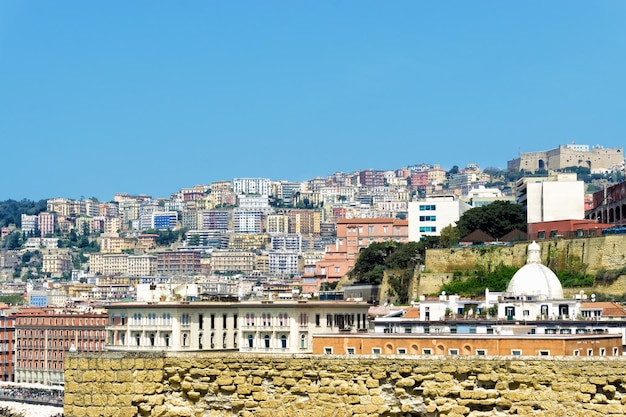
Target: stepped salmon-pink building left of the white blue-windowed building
<point x="353" y="235"/>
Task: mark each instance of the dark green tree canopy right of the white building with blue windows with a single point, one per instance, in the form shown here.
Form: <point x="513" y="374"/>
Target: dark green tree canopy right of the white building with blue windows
<point x="497" y="219"/>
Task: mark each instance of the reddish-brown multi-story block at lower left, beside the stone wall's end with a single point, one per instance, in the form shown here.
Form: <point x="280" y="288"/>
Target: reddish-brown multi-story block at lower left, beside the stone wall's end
<point x="43" y="336"/>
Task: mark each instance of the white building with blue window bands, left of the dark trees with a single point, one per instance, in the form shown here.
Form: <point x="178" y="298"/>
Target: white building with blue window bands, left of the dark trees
<point x="428" y="216"/>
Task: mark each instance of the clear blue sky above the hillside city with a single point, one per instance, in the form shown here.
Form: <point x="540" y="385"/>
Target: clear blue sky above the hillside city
<point x="99" y="97"/>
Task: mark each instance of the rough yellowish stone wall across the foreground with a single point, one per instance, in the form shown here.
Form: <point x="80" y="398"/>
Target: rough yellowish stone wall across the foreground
<point x="233" y="384"/>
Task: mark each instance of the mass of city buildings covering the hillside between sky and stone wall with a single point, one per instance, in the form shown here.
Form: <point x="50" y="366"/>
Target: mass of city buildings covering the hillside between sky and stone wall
<point x="250" y="270"/>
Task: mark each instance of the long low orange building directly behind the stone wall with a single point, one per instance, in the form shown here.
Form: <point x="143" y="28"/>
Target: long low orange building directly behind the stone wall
<point x="470" y="344"/>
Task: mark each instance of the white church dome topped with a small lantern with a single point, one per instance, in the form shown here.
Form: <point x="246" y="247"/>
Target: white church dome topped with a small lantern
<point x="534" y="279"/>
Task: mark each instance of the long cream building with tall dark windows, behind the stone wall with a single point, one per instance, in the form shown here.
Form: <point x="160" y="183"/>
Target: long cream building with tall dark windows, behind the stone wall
<point x="269" y="327"/>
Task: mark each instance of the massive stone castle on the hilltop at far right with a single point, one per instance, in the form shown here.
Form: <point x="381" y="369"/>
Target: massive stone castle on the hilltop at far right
<point x="598" y="159"/>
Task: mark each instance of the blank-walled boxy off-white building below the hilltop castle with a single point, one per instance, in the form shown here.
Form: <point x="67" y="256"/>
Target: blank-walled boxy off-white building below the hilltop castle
<point x="557" y="197"/>
